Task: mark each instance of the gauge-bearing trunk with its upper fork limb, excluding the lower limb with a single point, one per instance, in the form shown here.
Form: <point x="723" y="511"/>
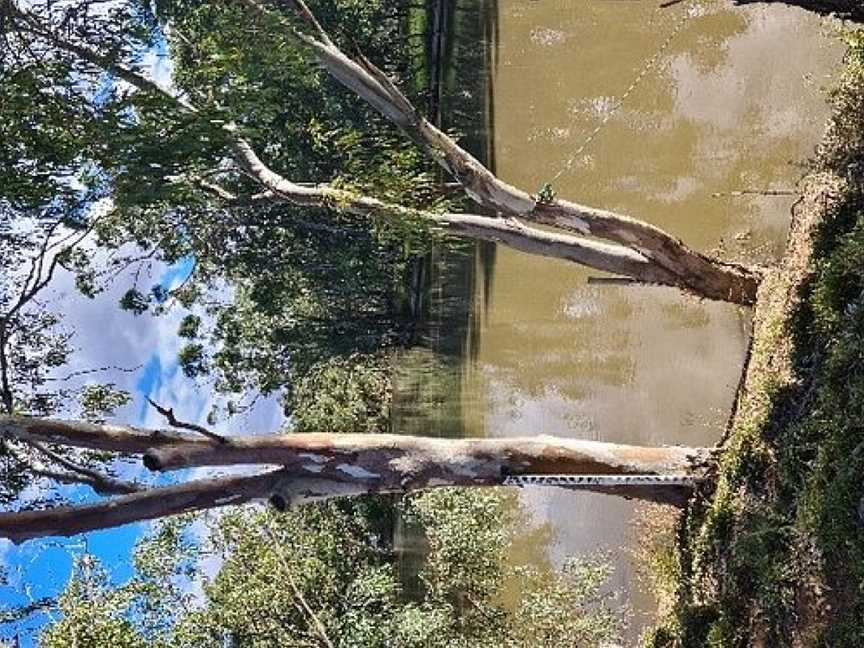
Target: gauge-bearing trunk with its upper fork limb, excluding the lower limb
<point x="386" y="458"/>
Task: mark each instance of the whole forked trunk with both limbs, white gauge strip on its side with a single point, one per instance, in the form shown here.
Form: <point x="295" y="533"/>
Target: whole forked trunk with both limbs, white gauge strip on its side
<point x="322" y="466"/>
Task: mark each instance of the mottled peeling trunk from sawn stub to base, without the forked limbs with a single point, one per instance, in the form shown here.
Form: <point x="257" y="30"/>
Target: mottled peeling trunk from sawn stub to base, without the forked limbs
<point x="415" y="462"/>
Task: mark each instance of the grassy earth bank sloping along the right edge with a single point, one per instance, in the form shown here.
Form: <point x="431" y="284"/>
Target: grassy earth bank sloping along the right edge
<point x="773" y="553"/>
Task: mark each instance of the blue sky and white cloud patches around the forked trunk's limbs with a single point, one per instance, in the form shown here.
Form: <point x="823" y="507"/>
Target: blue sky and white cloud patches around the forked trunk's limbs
<point x="106" y="336"/>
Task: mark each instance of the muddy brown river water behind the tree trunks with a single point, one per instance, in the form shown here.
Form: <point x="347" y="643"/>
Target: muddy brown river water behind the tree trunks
<point x="733" y="103"/>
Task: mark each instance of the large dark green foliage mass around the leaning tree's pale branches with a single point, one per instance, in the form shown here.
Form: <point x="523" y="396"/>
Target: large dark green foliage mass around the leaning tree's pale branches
<point x="307" y="286"/>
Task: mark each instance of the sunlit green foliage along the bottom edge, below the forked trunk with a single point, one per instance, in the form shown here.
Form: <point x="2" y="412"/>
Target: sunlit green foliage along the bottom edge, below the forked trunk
<point x="331" y="570"/>
